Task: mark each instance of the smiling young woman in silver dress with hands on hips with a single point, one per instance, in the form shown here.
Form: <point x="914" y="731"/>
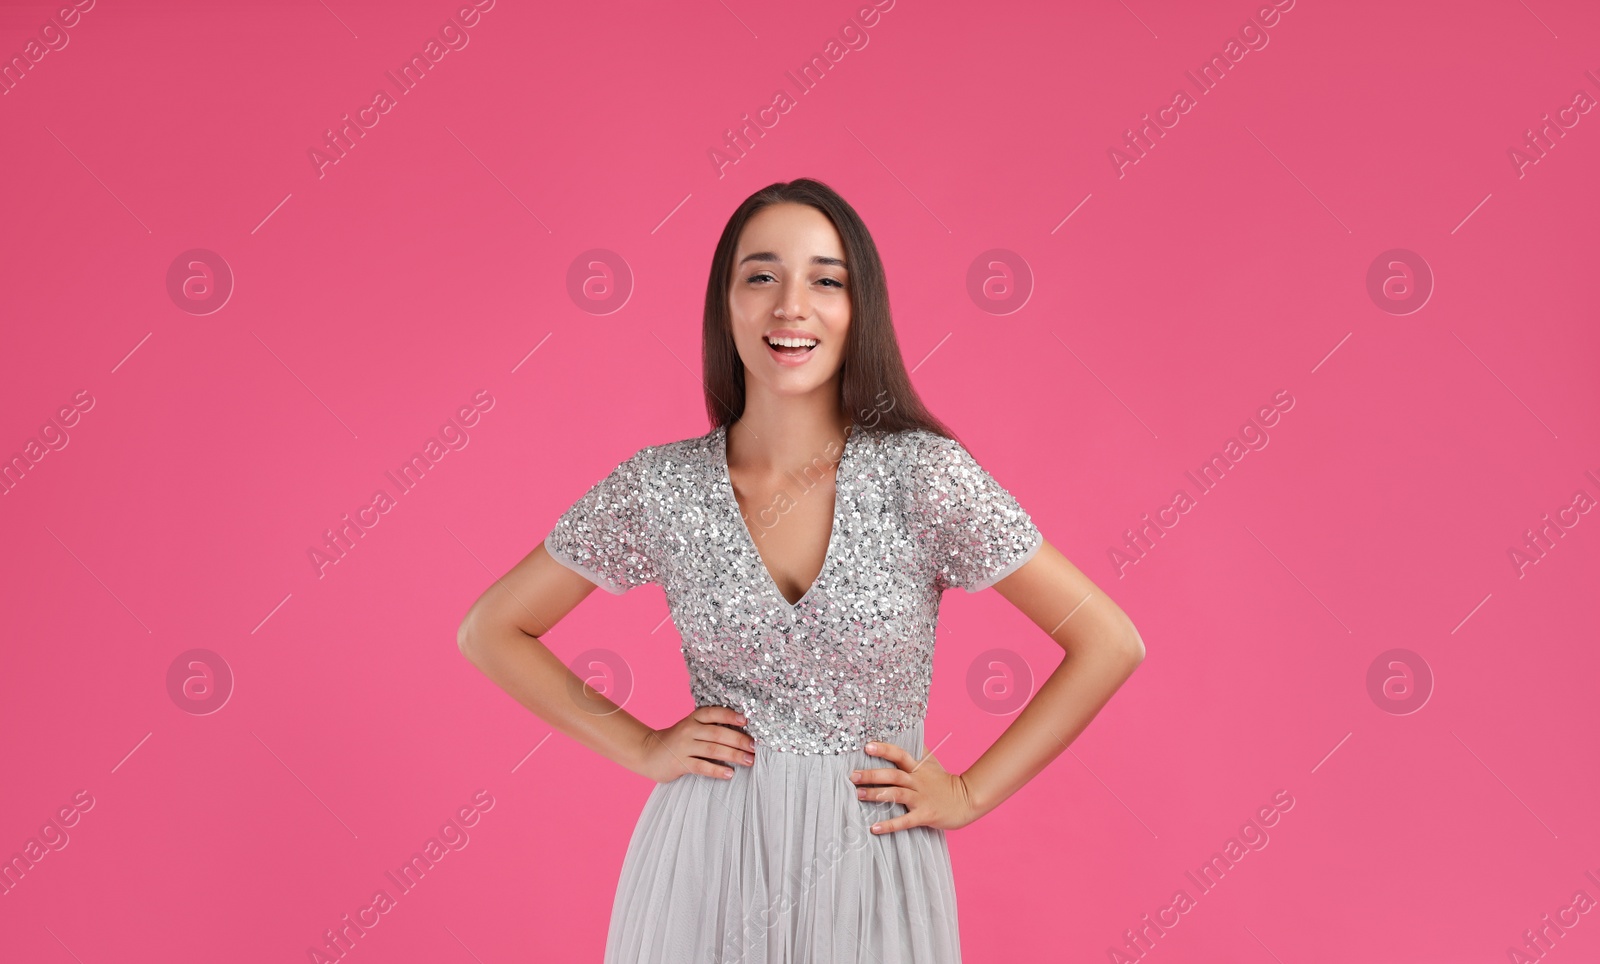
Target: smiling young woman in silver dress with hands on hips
<point x="804" y="545"/>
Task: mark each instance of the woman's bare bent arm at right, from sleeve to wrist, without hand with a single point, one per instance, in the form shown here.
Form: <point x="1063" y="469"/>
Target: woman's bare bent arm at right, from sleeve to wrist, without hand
<point x="1102" y="653"/>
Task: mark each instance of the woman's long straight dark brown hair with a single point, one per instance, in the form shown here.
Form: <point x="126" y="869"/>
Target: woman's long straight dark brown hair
<point x="876" y="390"/>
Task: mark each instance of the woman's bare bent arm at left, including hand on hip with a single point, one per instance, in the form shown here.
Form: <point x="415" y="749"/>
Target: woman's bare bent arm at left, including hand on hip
<point x="500" y="635"/>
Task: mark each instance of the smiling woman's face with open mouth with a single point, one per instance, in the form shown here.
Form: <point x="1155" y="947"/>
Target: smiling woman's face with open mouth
<point x="790" y="284"/>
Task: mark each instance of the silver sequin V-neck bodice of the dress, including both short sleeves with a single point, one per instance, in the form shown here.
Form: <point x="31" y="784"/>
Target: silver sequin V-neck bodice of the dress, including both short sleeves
<point x="854" y="659"/>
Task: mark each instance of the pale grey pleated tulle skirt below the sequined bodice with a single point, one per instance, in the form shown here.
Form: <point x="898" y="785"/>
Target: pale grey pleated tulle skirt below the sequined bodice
<point x="778" y="867"/>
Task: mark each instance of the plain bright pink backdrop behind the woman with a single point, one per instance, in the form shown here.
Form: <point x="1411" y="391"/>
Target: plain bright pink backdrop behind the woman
<point x="370" y="303"/>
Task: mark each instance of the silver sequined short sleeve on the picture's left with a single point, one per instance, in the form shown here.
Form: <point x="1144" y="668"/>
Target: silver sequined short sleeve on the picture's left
<point x="606" y="534"/>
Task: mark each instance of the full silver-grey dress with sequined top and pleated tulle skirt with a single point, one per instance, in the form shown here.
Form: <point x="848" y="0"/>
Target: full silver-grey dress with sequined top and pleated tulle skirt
<point x="777" y="866"/>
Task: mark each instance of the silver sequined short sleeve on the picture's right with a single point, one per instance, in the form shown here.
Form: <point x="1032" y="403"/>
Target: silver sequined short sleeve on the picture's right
<point x="969" y="528"/>
